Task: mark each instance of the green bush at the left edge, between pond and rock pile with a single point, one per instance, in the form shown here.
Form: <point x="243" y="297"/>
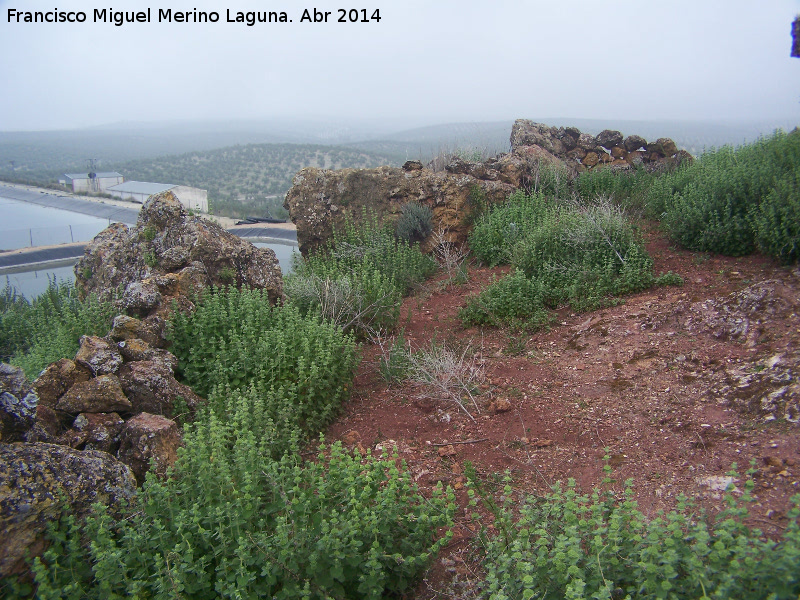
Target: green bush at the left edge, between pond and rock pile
<point x="36" y="333"/>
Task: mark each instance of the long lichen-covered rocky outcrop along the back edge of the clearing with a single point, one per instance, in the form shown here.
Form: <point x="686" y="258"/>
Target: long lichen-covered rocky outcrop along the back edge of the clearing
<point x="321" y="200"/>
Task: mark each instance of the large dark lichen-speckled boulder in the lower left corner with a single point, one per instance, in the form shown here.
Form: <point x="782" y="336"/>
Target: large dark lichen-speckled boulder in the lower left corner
<point x="34" y="478"/>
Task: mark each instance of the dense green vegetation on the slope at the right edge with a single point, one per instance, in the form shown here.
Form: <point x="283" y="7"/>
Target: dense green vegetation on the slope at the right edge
<point x="731" y="201"/>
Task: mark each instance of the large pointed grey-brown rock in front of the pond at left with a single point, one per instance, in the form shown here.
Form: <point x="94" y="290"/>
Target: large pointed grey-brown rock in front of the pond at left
<point x="167" y="240"/>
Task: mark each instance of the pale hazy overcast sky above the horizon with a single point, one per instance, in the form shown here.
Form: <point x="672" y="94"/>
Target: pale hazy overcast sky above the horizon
<point x="431" y="61"/>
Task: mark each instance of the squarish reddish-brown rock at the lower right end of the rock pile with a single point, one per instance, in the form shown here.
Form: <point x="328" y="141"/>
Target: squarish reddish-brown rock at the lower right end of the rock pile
<point x="149" y="439"/>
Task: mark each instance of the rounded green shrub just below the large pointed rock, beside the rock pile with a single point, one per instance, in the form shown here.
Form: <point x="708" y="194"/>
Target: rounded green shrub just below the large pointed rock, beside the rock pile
<point x="235" y="340"/>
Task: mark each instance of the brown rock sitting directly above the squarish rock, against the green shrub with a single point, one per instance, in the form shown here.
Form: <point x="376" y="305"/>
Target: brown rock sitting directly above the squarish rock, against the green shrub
<point x="151" y="387"/>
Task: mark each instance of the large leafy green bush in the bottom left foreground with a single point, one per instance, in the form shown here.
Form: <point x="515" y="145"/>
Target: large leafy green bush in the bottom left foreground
<point x="233" y="523"/>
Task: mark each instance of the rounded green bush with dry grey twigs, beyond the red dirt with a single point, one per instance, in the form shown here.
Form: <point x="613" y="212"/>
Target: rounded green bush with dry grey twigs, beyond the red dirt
<point x="568" y="253"/>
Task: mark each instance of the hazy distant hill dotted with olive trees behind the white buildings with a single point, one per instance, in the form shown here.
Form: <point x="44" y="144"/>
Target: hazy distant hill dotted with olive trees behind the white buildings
<point x="242" y="179"/>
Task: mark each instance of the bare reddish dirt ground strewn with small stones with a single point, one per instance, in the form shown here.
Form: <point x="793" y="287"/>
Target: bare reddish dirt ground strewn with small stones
<point x="675" y="385"/>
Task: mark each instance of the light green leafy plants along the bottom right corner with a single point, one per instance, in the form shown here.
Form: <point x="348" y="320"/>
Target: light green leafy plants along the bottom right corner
<point x="565" y="545"/>
